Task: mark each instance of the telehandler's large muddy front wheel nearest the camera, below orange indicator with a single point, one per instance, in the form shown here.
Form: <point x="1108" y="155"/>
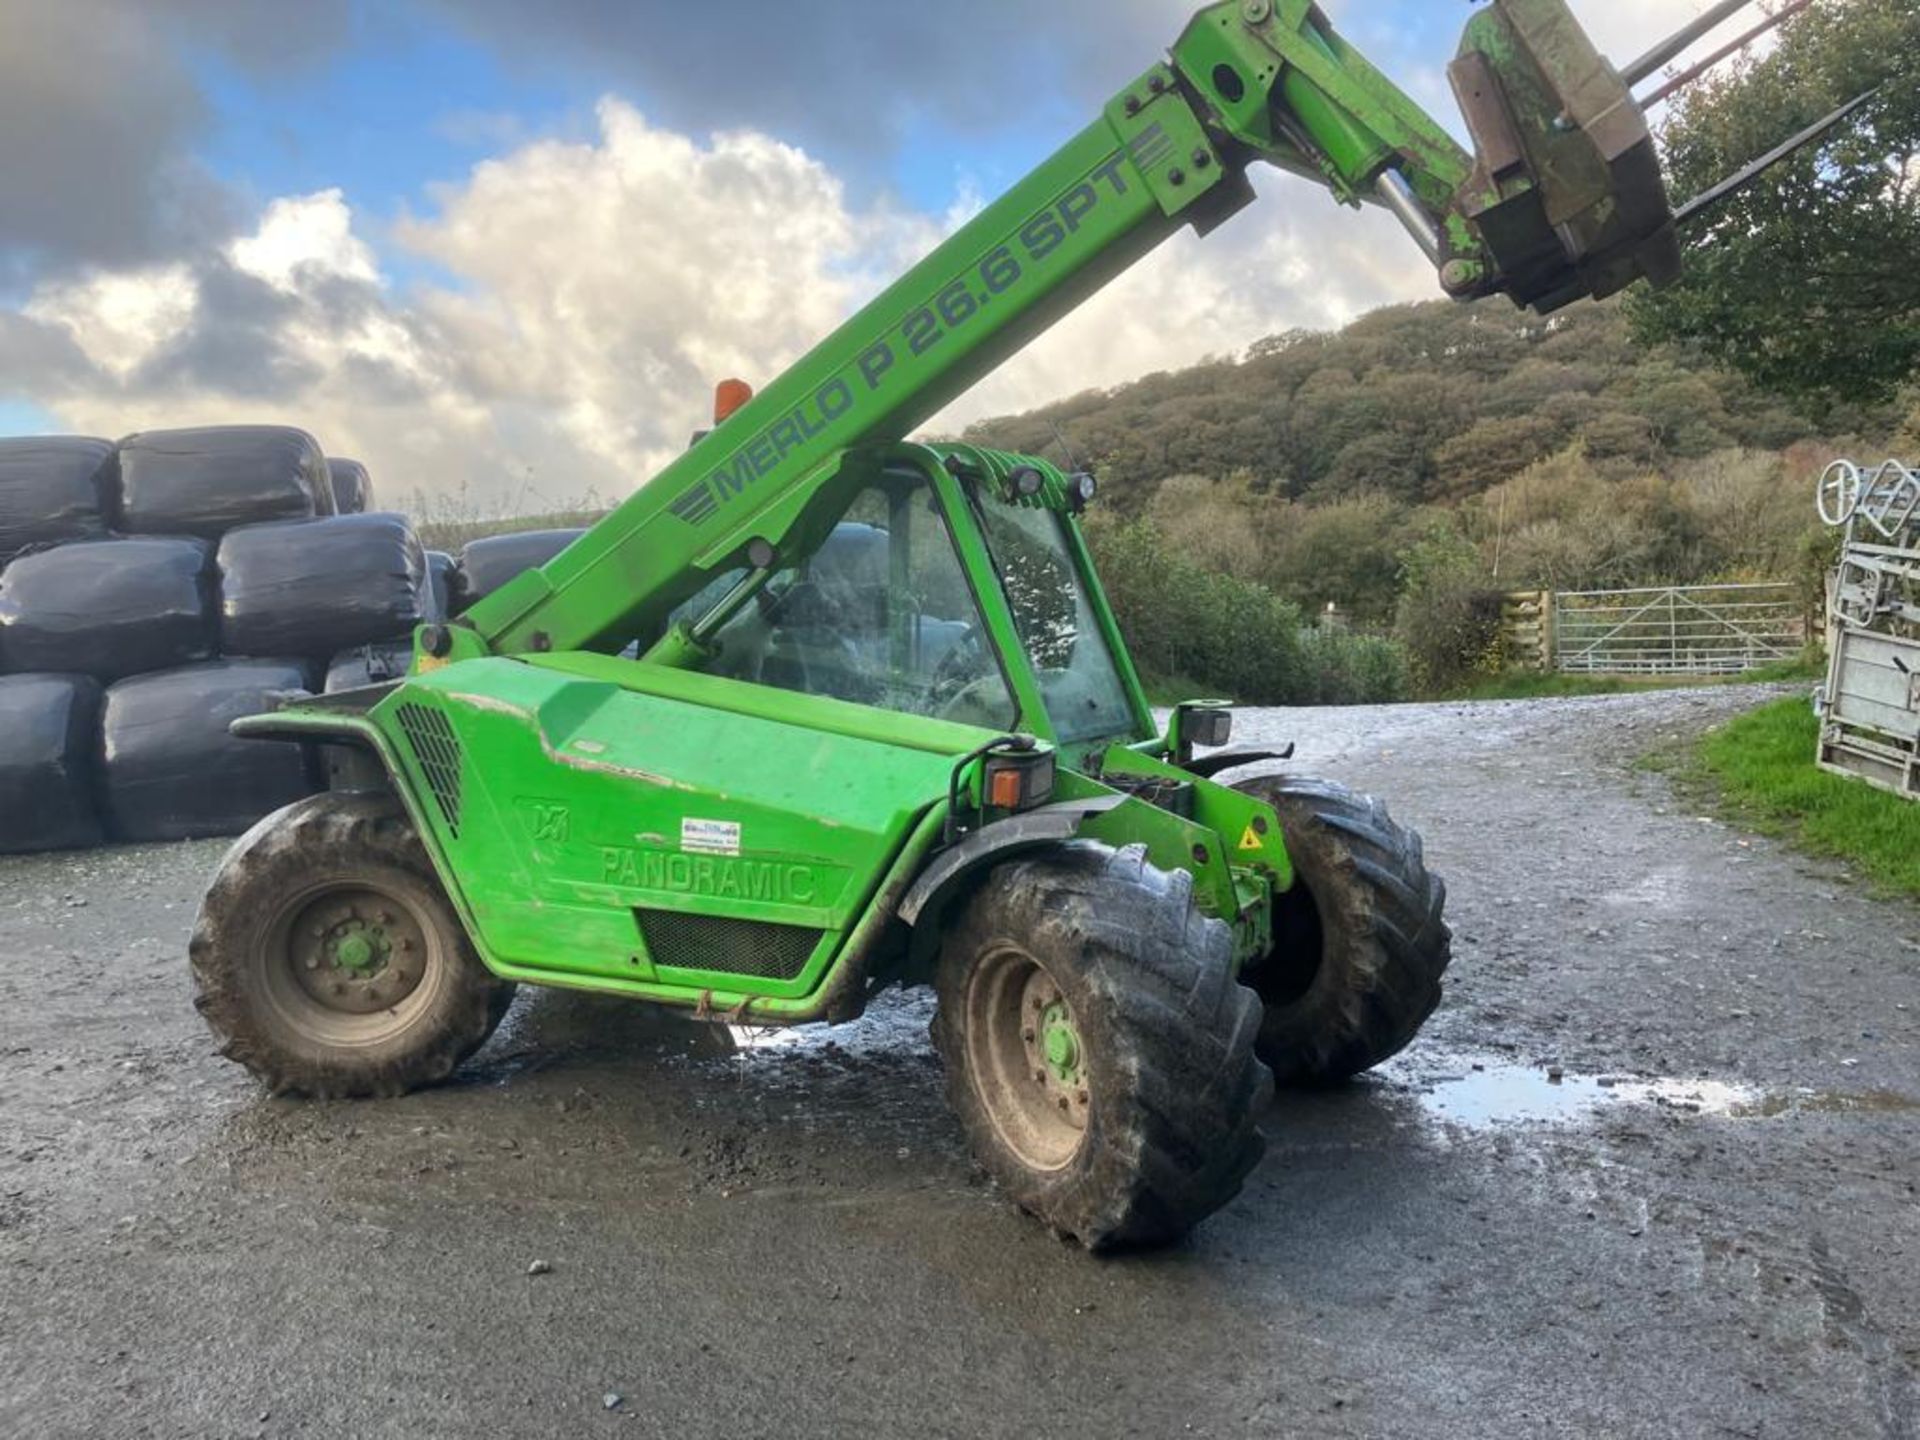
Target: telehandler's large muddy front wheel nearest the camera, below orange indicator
<point x="1099" y="1051"/>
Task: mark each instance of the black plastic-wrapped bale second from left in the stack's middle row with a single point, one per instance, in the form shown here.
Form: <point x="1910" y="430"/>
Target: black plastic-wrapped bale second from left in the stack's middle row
<point x="316" y="588"/>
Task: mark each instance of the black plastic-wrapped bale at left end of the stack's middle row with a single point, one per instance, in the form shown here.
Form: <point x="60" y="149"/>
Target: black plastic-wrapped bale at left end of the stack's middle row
<point x="108" y="608"/>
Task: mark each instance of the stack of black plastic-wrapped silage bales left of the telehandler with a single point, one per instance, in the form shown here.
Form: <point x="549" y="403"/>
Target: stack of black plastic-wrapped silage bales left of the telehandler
<point x="156" y="590"/>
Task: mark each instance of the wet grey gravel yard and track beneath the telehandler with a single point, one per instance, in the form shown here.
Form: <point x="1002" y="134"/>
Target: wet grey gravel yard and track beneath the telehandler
<point x="617" y="1224"/>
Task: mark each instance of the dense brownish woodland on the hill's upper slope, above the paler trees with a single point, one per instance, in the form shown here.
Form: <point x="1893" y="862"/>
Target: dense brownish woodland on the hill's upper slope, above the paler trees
<point x="1420" y="404"/>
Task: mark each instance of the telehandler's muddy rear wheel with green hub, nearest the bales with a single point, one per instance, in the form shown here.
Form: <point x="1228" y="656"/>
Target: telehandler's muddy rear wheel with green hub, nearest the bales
<point x="329" y="961"/>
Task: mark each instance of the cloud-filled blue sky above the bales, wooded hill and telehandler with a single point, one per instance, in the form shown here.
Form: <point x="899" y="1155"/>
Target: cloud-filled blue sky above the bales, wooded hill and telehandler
<point x="479" y="241"/>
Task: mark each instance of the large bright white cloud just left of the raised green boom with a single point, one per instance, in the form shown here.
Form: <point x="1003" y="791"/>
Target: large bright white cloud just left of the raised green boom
<point x="613" y="283"/>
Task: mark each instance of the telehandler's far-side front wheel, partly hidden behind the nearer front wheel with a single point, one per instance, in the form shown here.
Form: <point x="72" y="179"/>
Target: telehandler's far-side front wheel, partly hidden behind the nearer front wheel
<point x="1358" y="946"/>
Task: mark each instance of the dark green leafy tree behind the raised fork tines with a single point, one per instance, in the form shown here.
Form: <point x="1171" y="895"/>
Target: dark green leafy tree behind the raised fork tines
<point x="1810" y="283"/>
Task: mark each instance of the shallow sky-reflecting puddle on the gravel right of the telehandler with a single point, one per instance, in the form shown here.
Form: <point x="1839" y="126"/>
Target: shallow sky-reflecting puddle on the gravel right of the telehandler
<point x="1499" y="1093"/>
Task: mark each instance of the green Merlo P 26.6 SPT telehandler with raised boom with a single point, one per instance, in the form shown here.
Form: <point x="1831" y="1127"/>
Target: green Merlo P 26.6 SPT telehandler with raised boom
<point x="884" y="729"/>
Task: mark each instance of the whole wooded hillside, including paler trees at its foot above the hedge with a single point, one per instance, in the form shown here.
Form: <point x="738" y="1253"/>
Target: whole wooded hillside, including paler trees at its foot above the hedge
<point x="1539" y="452"/>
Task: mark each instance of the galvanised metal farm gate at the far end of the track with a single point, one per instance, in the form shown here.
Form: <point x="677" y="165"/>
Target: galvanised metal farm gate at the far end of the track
<point x="1677" y="631"/>
